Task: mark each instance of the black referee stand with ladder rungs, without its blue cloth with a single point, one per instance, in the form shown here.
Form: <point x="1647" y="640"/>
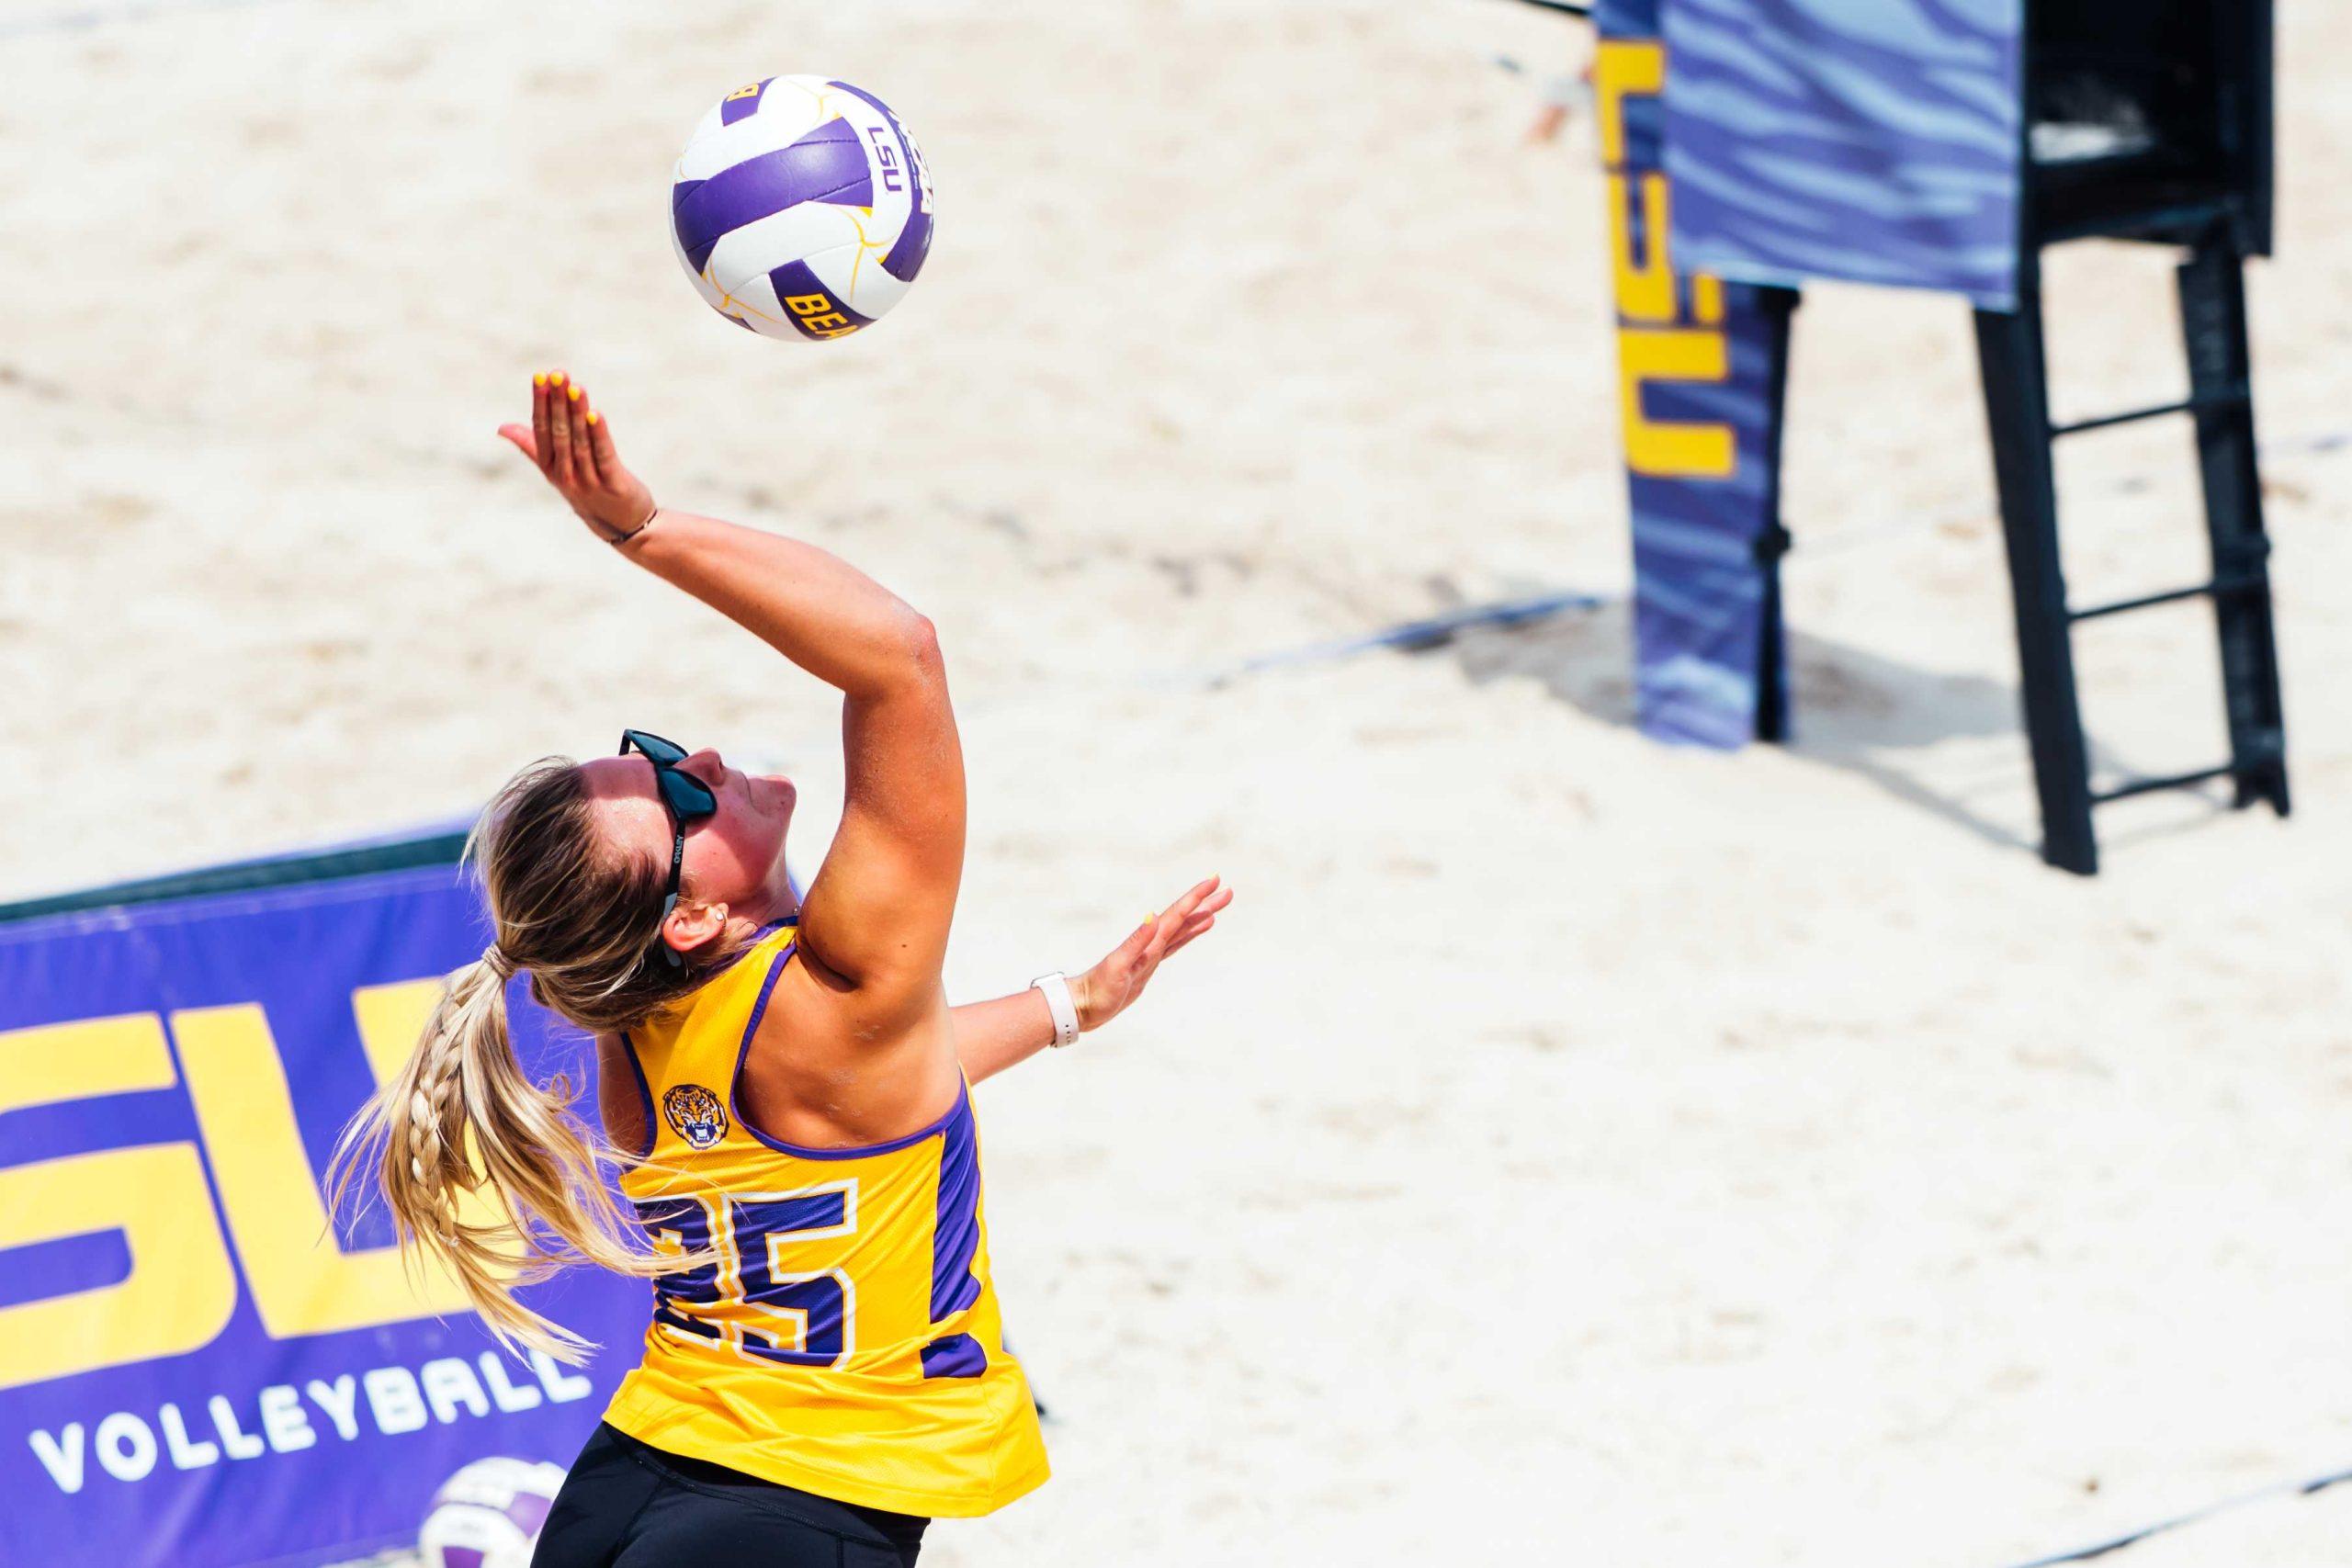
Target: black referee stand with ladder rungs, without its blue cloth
<point x="2146" y="121"/>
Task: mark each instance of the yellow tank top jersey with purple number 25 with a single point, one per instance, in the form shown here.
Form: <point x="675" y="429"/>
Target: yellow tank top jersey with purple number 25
<point x="846" y="1339"/>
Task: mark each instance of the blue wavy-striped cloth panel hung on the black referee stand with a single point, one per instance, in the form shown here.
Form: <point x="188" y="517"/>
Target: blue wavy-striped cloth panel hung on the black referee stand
<point x="1855" y="140"/>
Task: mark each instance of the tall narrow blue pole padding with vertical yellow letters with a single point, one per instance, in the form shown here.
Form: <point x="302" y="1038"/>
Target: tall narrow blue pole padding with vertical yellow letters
<point x="1702" y="368"/>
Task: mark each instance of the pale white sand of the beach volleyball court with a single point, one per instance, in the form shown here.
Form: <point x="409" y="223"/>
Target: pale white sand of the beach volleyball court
<point x="1650" y="1155"/>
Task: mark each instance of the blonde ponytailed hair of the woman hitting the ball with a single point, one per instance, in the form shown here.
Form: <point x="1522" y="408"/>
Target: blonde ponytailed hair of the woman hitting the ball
<point x="465" y="1118"/>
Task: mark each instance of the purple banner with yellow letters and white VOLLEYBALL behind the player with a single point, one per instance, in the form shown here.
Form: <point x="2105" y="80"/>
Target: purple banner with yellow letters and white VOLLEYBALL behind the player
<point x="199" y="1369"/>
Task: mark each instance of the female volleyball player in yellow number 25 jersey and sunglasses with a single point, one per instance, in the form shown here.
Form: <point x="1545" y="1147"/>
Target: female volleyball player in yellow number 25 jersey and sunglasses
<point x="784" y="1083"/>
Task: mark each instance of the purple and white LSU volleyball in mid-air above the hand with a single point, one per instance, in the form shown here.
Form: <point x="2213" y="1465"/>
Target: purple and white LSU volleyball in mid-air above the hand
<point x="801" y="208"/>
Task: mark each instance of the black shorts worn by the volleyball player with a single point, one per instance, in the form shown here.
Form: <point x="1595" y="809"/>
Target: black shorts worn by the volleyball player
<point x="627" y="1506"/>
